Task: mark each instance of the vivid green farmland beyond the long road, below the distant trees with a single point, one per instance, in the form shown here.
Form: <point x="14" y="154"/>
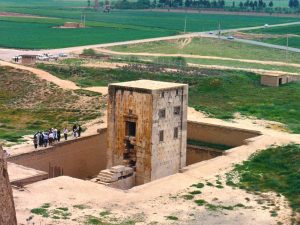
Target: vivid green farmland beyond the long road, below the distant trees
<point x="102" y="27"/>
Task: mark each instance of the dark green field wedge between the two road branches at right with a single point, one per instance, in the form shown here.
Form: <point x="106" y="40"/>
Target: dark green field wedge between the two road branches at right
<point x="293" y="33"/>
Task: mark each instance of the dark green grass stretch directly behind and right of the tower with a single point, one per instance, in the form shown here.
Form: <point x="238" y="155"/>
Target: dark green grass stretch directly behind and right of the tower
<point x="219" y="93"/>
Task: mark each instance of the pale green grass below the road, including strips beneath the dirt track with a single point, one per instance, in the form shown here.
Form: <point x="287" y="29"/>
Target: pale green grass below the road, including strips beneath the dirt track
<point x="222" y="48"/>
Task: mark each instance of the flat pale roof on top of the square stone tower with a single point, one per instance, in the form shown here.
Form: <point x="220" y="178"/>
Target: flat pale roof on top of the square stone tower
<point x="148" y="84"/>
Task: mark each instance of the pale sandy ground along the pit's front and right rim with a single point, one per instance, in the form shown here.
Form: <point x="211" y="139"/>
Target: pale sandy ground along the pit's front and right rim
<point x="164" y="201"/>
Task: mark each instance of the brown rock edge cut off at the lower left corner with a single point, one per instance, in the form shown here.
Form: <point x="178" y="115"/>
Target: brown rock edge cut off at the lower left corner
<point x="7" y="208"/>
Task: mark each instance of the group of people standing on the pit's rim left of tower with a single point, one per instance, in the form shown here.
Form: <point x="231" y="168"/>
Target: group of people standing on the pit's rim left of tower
<point x="49" y="137"/>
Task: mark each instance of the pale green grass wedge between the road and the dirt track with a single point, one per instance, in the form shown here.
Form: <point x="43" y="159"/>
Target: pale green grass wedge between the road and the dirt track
<point x="221" y="48"/>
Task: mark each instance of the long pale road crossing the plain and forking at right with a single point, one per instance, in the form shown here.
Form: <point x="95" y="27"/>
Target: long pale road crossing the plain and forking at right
<point x="7" y="54"/>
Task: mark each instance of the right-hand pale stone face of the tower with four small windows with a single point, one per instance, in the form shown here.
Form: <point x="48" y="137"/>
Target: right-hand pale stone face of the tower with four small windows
<point x="169" y="155"/>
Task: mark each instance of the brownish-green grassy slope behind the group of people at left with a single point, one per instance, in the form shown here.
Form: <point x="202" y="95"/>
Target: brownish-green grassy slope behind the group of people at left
<point x="28" y="104"/>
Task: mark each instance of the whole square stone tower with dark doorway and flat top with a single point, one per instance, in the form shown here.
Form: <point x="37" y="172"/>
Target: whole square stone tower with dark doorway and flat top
<point x="147" y="127"/>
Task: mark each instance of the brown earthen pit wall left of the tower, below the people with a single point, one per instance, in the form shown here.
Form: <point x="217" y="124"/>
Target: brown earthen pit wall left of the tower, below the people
<point x="81" y="158"/>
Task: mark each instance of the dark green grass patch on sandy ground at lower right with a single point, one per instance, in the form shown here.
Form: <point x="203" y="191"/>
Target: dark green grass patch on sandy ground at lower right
<point x="275" y="169"/>
